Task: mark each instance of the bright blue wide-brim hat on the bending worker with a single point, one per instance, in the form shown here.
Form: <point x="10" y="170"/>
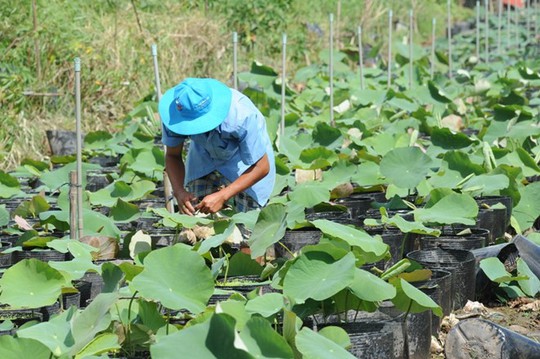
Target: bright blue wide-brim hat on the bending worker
<point x="195" y="106"/>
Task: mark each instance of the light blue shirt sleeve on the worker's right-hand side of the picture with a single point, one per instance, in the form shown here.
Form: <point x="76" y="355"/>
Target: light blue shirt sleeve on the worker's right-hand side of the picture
<point x="252" y="138"/>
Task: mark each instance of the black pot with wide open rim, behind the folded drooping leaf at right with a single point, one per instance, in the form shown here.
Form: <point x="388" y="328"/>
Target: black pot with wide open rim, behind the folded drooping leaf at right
<point x="460" y="263"/>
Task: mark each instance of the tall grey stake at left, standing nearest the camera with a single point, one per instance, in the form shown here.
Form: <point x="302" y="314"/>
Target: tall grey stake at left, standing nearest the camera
<point x="79" y="147"/>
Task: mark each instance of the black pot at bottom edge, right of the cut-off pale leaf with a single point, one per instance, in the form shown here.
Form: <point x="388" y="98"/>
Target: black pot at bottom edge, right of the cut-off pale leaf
<point x="370" y="339"/>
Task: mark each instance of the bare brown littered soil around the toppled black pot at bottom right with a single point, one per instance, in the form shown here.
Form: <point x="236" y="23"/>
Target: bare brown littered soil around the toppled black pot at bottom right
<point x="521" y="315"/>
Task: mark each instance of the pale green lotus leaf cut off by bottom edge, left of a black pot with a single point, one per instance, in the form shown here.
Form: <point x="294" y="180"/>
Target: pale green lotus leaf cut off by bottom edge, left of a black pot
<point x="316" y="346"/>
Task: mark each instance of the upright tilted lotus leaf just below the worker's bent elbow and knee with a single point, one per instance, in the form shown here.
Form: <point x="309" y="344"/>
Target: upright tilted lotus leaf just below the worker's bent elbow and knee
<point x="269" y="228"/>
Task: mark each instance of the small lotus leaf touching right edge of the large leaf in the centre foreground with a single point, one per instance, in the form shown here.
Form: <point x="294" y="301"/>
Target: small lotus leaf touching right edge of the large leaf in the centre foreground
<point x="367" y="286"/>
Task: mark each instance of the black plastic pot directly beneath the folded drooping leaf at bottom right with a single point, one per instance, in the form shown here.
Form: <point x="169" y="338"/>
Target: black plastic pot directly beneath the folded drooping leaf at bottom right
<point x="412" y="332"/>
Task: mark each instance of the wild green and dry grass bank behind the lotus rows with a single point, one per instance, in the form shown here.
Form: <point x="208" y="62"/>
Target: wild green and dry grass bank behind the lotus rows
<point x="113" y="39"/>
